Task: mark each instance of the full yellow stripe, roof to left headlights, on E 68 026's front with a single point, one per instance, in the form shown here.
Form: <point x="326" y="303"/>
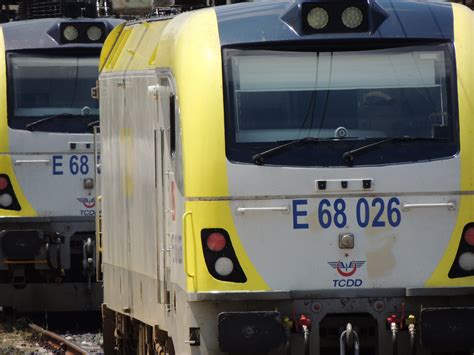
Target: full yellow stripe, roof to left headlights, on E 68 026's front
<point x="191" y="48"/>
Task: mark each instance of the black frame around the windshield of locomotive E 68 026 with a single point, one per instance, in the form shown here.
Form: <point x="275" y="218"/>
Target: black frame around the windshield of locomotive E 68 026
<point x="238" y="153"/>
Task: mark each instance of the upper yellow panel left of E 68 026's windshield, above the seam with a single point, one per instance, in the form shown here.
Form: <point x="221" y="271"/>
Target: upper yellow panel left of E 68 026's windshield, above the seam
<point x="197" y="66"/>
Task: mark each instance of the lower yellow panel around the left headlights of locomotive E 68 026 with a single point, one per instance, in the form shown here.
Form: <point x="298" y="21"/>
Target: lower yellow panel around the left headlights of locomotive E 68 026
<point x="215" y="214"/>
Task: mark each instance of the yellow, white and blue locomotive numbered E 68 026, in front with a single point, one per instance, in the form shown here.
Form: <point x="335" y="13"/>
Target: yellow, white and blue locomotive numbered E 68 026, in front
<point x="289" y="177"/>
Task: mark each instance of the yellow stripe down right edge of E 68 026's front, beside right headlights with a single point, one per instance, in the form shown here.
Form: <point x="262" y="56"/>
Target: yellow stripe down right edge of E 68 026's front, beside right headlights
<point x="464" y="47"/>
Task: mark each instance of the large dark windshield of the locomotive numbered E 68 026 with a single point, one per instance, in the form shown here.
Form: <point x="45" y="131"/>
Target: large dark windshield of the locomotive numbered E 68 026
<point x="346" y="99"/>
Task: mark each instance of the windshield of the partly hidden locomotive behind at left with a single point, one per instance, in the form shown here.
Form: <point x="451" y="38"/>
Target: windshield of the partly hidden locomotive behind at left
<point x="53" y="87"/>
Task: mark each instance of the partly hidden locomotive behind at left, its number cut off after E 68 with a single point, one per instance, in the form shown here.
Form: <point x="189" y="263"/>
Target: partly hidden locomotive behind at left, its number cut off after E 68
<point x="47" y="198"/>
